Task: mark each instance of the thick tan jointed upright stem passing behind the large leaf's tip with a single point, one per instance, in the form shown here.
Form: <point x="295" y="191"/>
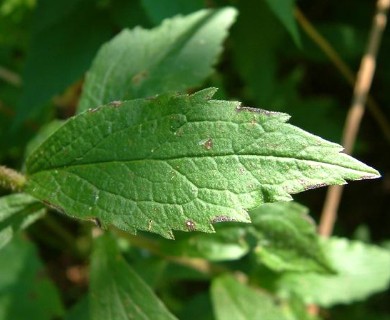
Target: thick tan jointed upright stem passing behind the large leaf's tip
<point x="356" y="111"/>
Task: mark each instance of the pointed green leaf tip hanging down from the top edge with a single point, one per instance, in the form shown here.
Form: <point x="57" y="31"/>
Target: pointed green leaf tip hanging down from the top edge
<point x="284" y="11"/>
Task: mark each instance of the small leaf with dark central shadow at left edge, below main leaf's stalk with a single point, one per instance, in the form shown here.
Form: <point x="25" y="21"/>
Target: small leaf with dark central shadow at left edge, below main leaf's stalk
<point x="17" y="212"/>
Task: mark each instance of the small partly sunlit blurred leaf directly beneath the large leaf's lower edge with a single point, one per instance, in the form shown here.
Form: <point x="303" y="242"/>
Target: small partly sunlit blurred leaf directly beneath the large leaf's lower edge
<point x="227" y="244"/>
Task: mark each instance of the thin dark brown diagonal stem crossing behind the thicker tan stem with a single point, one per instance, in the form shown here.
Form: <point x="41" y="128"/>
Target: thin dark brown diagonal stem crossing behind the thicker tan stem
<point x="343" y="68"/>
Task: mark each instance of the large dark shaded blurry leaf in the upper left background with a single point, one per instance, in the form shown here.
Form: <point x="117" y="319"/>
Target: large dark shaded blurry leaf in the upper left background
<point x="66" y="36"/>
